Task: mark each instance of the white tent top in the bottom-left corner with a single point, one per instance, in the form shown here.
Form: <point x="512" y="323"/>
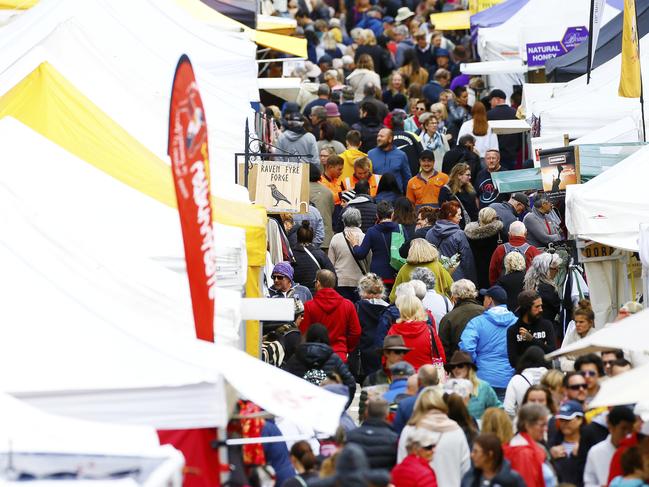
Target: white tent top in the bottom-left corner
<point x="42" y="444"/>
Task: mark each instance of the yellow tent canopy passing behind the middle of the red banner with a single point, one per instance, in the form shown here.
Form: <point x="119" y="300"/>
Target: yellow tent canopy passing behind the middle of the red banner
<point x="53" y="107"/>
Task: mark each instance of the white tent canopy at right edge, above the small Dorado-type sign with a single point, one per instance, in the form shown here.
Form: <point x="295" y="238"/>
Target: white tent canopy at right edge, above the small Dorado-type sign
<point x="610" y="207"/>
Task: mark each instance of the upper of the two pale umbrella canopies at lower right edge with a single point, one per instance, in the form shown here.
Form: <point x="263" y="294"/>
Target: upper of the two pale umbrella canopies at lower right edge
<point x="630" y="334"/>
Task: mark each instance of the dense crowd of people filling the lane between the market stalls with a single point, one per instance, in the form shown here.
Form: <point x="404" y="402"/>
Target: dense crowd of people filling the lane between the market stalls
<point x="422" y="294"/>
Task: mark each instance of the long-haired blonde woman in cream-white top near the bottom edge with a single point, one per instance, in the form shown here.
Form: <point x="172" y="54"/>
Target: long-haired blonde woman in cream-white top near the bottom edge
<point x="452" y="456"/>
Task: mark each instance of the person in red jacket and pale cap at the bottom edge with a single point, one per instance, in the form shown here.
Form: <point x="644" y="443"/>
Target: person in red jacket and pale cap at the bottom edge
<point x="415" y="470"/>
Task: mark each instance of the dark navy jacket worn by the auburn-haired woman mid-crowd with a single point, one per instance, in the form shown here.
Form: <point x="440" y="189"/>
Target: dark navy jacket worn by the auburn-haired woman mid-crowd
<point x="449" y="239"/>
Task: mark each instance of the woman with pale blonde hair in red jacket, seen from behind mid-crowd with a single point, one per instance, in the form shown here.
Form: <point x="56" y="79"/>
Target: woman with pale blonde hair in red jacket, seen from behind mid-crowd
<point x="417" y="333"/>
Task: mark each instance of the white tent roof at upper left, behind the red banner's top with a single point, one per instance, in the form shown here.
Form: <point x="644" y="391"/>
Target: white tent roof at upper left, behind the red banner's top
<point x="122" y="55"/>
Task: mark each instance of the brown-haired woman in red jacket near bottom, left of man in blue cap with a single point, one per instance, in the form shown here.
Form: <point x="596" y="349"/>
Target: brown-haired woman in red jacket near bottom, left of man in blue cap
<point x="524" y="451"/>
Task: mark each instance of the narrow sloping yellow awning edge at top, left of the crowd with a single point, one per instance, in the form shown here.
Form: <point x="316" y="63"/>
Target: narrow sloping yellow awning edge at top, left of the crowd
<point x="203" y="13"/>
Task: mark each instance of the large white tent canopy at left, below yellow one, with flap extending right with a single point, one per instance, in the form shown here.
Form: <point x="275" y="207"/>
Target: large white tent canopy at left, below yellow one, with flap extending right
<point x="100" y="334"/>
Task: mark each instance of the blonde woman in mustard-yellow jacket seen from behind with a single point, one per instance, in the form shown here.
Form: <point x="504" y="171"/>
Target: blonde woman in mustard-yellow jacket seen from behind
<point x="423" y="254"/>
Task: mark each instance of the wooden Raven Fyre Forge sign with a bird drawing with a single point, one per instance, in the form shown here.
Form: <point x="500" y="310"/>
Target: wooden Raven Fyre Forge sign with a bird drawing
<point x="281" y="187"/>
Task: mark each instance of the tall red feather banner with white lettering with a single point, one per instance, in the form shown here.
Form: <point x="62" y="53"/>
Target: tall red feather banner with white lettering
<point x="188" y="151"/>
